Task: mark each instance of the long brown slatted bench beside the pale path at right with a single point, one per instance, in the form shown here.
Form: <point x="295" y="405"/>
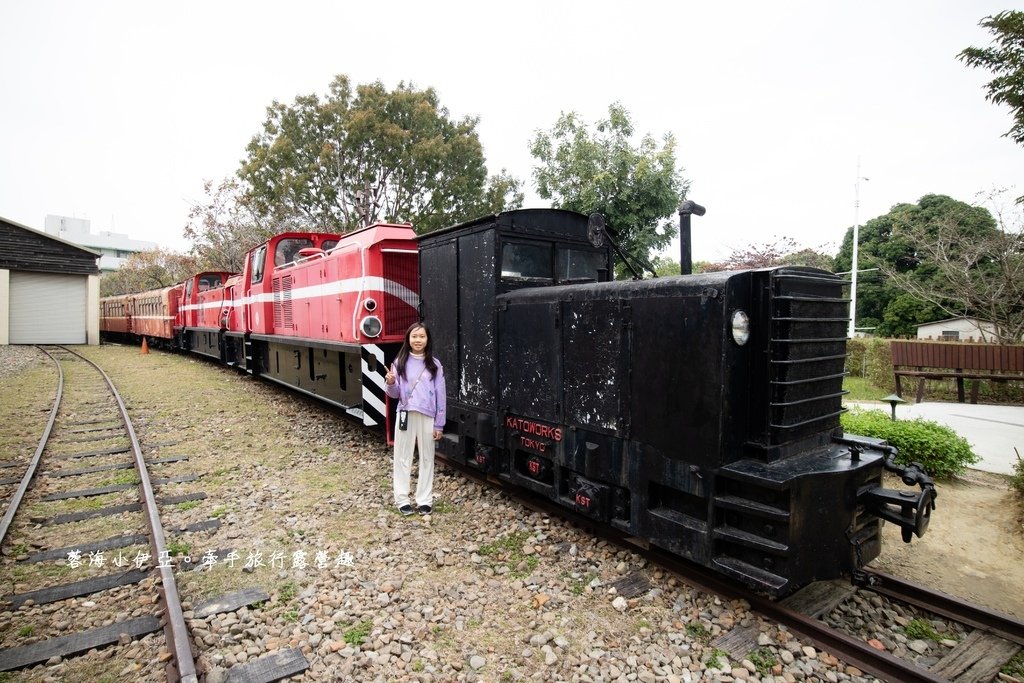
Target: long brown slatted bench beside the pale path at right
<point x="937" y="361"/>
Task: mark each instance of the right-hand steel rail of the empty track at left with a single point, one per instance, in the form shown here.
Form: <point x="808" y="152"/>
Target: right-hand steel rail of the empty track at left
<point x="184" y="667"/>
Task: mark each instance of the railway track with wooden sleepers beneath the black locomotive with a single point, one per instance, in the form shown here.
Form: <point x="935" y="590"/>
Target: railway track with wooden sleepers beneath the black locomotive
<point x="993" y="638"/>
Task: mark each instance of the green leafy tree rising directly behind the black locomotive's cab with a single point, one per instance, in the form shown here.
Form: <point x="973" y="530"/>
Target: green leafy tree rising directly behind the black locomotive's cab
<point x="638" y="189"/>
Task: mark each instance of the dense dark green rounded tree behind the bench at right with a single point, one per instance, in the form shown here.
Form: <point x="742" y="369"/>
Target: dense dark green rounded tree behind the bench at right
<point x="895" y="252"/>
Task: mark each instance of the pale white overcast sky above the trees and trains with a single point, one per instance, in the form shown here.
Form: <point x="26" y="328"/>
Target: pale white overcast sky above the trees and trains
<point x="117" y="112"/>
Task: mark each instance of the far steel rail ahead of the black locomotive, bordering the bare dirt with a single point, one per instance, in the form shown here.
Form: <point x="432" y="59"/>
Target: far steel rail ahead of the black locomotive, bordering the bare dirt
<point x="944" y="605"/>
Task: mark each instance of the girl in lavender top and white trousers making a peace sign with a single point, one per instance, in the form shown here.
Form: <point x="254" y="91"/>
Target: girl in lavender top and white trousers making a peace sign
<point x="417" y="380"/>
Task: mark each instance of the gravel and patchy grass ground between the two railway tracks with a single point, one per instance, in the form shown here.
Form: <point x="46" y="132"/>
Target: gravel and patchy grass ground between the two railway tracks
<point x="482" y="590"/>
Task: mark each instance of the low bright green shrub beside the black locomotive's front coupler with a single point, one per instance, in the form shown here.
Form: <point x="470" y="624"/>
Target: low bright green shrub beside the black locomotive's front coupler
<point x="942" y="451"/>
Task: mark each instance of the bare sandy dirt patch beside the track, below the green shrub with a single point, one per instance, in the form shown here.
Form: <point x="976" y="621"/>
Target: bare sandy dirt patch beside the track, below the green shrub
<point x="974" y="547"/>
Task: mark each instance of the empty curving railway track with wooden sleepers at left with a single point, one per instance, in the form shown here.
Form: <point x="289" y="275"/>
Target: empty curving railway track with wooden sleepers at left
<point x="89" y="452"/>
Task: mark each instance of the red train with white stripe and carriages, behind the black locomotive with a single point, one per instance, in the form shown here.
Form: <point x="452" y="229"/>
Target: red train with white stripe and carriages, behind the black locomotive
<point x="322" y="314"/>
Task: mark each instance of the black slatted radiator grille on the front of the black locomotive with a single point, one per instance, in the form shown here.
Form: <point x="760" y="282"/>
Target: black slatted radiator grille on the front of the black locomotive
<point x="807" y="354"/>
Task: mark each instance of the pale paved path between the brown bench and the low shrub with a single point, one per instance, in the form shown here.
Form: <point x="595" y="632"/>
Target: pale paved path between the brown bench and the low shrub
<point x="994" y="432"/>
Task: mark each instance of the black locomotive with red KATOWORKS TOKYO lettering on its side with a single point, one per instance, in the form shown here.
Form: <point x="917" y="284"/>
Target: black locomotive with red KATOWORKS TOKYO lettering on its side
<point x="700" y="413"/>
